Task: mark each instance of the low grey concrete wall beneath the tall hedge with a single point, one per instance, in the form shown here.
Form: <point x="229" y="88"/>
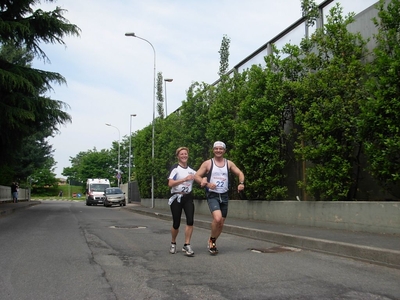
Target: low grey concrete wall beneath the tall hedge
<point x="374" y="217"/>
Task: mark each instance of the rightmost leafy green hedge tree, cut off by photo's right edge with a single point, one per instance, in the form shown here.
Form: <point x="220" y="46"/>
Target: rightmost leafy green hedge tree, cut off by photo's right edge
<point x="380" y="121"/>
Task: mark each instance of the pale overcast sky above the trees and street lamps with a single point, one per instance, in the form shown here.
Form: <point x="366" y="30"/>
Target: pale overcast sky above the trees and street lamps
<point x="110" y="76"/>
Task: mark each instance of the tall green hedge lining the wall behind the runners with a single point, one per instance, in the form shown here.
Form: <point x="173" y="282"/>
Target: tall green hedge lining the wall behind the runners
<point x="320" y="112"/>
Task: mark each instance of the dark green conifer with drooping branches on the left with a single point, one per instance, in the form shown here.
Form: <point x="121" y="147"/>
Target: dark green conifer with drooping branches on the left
<point x="24" y="108"/>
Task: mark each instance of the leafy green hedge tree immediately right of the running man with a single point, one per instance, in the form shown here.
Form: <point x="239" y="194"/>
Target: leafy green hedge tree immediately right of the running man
<point x="263" y="116"/>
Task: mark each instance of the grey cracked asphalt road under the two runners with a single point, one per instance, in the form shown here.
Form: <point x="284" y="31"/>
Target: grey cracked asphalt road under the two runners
<point x="66" y="250"/>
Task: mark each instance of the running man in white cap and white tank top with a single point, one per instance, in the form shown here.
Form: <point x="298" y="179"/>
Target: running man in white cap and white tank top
<point x="213" y="174"/>
